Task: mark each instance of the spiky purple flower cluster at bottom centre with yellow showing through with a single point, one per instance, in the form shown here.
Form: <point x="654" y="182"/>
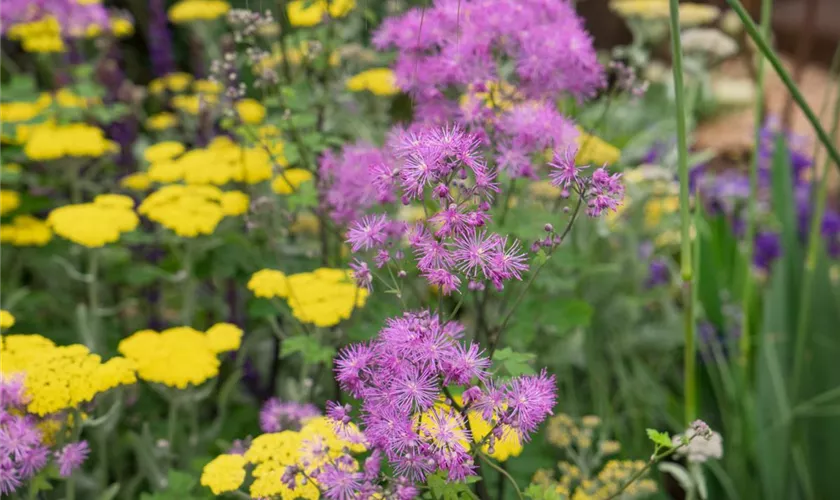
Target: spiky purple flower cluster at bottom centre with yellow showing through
<point x="399" y="378"/>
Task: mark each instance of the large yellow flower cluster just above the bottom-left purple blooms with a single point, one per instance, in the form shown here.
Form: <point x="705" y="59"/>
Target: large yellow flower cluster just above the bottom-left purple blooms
<point x="59" y="378"/>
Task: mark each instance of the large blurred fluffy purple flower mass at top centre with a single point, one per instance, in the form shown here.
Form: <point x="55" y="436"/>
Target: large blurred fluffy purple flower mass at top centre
<point x="458" y="43"/>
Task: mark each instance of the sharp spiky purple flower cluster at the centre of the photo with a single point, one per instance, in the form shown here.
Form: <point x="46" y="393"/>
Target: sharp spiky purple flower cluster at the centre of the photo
<point x="443" y="169"/>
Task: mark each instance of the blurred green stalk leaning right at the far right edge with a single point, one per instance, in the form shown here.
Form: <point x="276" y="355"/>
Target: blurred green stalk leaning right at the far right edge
<point x="814" y="244"/>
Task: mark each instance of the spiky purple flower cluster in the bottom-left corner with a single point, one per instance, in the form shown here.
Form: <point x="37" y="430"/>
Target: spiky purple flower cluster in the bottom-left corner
<point x="23" y="453"/>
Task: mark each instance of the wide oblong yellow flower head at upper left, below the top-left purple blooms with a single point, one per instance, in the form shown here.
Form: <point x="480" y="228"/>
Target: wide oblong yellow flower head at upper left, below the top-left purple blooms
<point x="49" y="141"/>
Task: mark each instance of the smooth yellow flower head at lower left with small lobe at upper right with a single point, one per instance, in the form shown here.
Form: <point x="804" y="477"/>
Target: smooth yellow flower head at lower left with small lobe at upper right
<point x="180" y="356"/>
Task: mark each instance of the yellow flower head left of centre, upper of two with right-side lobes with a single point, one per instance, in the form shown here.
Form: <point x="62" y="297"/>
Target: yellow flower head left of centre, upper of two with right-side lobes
<point x="190" y="211"/>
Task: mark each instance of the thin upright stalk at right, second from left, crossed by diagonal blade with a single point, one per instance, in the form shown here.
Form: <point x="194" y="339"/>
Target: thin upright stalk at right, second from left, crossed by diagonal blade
<point x="752" y="204"/>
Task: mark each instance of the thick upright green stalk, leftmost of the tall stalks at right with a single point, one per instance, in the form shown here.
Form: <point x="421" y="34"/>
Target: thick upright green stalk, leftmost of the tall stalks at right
<point x="686" y="270"/>
